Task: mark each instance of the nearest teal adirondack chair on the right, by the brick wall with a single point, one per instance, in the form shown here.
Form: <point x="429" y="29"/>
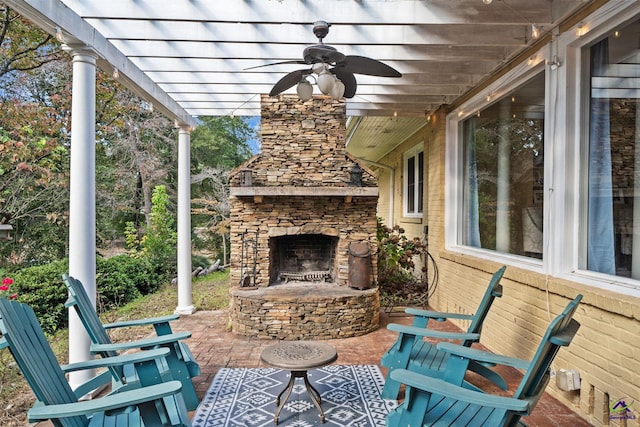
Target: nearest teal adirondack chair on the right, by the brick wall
<point x="442" y="402"/>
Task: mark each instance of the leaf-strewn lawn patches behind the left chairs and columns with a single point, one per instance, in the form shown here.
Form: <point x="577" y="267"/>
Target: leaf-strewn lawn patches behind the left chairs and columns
<point x="210" y="292"/>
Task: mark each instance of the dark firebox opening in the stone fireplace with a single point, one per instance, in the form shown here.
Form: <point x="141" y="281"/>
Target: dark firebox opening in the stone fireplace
<point x="302" y="258"/>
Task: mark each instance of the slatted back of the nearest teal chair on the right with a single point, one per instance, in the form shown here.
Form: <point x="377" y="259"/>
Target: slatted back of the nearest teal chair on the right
<point x="560" y="333"/>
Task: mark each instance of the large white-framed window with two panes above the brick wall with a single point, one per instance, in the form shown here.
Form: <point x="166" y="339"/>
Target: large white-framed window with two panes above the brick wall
<point x="543" y="164"/>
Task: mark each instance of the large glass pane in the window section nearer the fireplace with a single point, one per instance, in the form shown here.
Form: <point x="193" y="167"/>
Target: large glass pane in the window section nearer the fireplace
<point x="504" y="169"/>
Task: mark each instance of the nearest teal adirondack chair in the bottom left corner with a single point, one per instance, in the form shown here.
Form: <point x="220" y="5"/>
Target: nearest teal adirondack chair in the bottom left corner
<point x="151" y="402"/>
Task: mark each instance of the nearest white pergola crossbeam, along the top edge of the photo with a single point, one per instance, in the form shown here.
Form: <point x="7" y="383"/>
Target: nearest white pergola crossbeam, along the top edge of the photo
<point x="305" y="12"/>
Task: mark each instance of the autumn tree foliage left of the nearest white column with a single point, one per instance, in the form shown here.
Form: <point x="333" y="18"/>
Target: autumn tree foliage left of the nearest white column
<point x="33" y="128"/>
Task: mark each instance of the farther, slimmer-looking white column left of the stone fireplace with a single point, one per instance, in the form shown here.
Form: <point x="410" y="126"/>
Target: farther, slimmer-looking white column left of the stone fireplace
<point x="185" y="302"/>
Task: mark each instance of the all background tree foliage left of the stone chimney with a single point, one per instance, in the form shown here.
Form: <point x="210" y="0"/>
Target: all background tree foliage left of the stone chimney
<point x="136" y="151"/>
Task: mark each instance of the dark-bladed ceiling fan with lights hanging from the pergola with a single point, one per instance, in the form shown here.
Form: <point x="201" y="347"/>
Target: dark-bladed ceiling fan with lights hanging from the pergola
<point x="334" y="71"/>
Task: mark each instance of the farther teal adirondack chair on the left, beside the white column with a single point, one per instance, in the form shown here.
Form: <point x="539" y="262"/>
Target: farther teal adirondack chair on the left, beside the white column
<point x="180" y="361"/>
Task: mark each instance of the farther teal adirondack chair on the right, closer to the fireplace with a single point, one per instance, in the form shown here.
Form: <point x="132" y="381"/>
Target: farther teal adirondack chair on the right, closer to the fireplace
<point x="412" y="352"/>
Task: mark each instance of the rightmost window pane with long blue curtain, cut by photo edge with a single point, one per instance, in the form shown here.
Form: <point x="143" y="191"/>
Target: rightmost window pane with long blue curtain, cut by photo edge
<point x="613" y="178"/>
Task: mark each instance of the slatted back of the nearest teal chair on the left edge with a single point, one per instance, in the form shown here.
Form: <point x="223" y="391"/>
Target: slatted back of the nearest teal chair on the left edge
<point x="33" y="355"/>
